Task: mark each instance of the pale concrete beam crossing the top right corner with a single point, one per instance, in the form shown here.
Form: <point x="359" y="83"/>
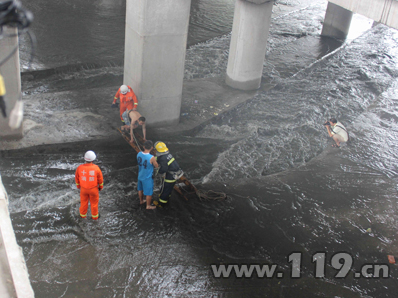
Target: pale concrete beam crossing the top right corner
<point x="382" y="11"/>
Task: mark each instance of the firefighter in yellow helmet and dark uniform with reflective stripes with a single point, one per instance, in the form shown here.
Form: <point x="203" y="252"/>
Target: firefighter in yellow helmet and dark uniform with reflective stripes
<point x="169" y="169"/>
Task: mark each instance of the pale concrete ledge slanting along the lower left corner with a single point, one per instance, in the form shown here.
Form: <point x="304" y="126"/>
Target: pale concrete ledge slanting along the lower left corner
<point x="14" y="278"/>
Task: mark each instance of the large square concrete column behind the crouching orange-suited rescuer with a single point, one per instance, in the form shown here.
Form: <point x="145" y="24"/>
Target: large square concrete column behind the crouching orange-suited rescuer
<point x="155" y="46"/>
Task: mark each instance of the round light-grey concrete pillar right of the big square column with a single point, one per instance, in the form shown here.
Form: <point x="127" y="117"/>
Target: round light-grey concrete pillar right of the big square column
<point x="248" y="46"/>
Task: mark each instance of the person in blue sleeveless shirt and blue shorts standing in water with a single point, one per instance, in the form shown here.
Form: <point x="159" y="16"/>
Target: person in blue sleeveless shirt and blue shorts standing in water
<point x="146" y="163"/>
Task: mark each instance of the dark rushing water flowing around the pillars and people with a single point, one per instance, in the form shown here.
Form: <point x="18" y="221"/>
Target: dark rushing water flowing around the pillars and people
<point x="288" y="191"/>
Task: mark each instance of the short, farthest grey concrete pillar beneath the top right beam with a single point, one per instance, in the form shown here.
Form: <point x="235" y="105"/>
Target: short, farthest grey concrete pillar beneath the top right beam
<point x="337" y="21"/>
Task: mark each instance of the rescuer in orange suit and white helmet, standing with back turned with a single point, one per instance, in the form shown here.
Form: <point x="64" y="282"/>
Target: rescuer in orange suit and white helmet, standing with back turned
<point x="89" y="180"/>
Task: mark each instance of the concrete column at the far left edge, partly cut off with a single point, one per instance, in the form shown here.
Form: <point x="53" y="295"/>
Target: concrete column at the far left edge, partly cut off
<point x="12" y="80"/>
